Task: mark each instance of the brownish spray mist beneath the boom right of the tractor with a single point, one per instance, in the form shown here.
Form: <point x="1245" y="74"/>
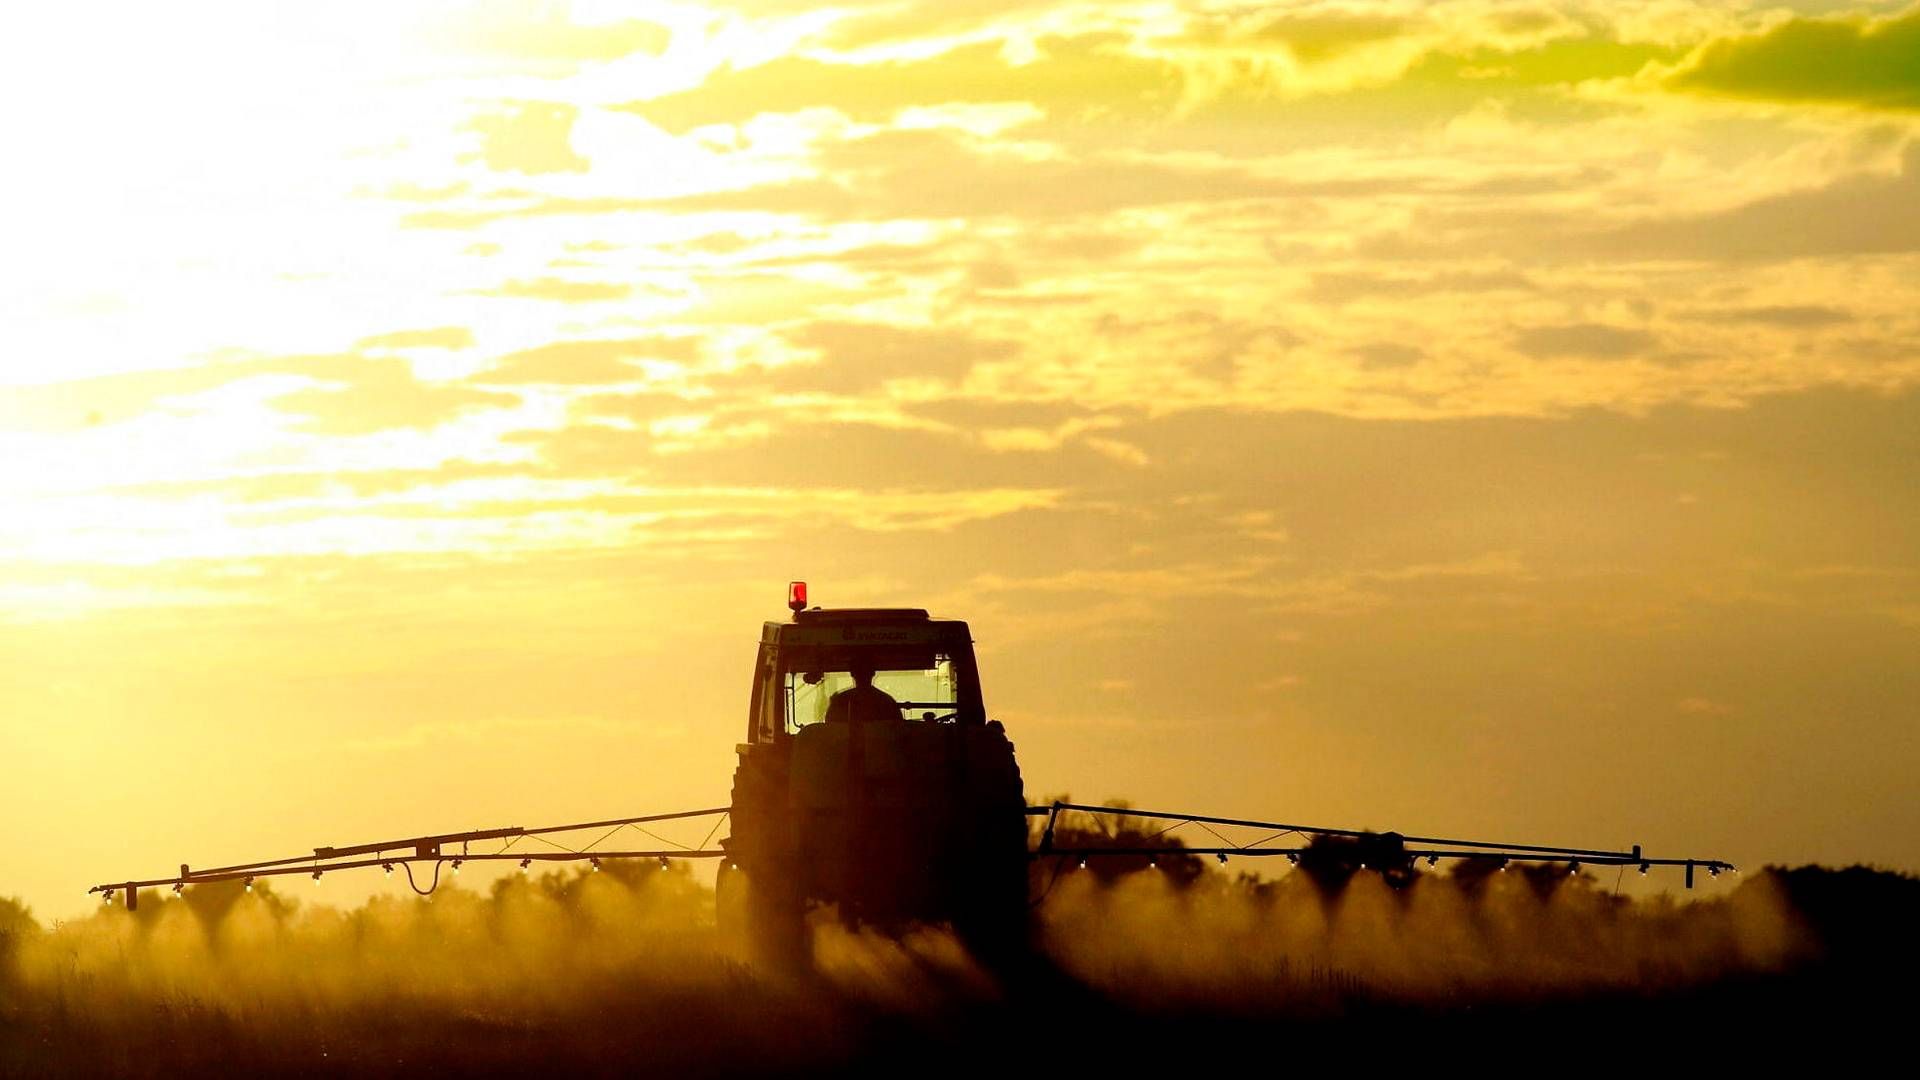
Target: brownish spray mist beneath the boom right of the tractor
<point x="1226" y="943"/>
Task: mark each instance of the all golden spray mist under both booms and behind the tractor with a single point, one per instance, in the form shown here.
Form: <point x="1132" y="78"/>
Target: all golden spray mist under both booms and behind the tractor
<point x="542" y="945"/>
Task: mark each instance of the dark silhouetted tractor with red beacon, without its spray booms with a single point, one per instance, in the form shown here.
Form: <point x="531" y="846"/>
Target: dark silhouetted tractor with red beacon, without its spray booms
<point x="873" y="787"/>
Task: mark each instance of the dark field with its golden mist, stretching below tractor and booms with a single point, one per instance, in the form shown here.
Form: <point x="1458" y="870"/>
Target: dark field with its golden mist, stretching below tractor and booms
<point x="623" y="971"/>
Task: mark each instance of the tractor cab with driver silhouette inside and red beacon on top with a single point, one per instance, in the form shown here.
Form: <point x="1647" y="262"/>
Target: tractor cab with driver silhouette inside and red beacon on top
<point x="924" y="666"/>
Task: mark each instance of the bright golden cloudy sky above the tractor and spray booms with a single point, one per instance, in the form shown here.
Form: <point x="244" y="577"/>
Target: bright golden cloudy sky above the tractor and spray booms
<point x="1479" y="418"/>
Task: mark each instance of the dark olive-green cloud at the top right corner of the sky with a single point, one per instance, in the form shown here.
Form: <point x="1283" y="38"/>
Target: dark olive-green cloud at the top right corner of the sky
<point x="1833" y="61"/>
